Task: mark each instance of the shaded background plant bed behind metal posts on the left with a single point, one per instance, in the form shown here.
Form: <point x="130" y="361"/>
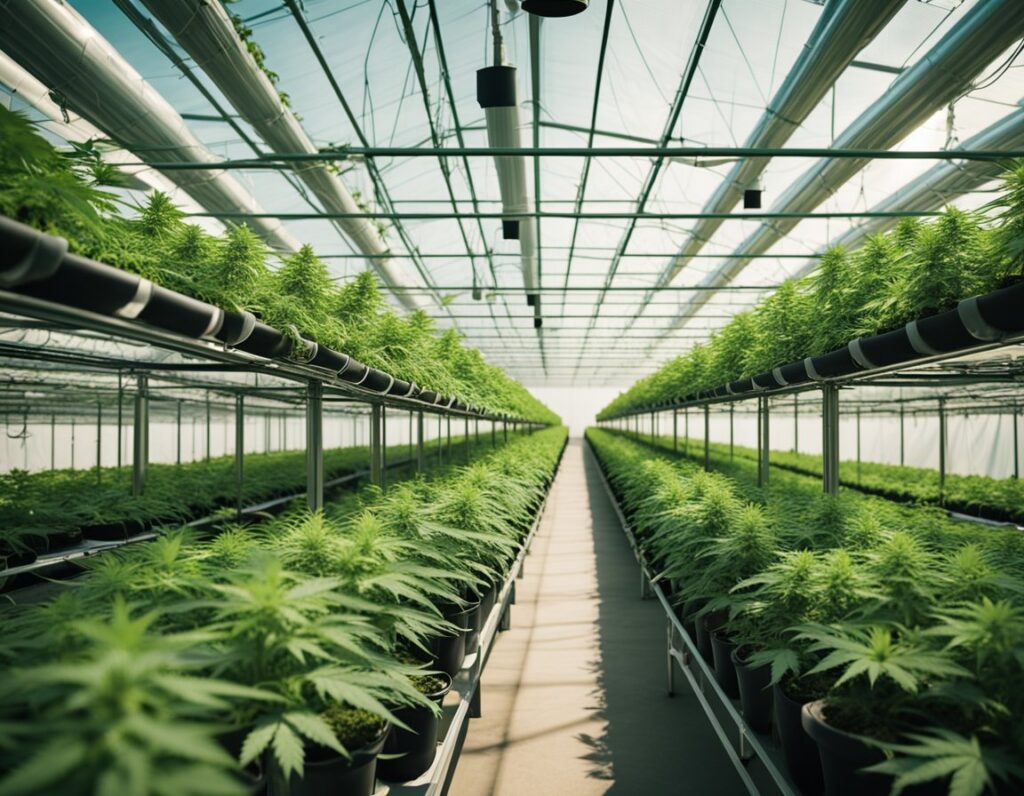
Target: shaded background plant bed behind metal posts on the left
<point x="51" y="511"/>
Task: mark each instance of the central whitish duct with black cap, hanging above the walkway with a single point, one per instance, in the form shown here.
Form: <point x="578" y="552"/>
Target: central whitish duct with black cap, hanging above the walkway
<point x="496" y="92"/>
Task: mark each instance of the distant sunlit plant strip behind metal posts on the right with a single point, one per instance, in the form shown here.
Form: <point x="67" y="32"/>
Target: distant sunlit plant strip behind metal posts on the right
<point x="998" y="499"/>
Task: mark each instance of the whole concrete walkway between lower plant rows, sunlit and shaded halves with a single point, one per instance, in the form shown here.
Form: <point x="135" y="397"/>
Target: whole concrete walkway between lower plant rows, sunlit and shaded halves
<point x="574" y="697"/>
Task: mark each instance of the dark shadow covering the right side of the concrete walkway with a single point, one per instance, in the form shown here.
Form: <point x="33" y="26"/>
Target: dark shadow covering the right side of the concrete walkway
<point x="653" y="743"/>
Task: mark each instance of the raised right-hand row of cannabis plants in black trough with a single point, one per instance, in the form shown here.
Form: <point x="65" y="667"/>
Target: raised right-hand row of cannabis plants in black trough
<point x="923" y="289"/>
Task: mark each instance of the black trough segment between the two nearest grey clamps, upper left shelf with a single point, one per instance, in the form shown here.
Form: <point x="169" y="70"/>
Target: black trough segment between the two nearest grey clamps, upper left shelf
<point x="87" y="284"/>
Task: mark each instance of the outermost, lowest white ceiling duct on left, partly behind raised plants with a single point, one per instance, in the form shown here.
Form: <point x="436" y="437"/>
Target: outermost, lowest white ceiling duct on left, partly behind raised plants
<point x="138" y="177"/>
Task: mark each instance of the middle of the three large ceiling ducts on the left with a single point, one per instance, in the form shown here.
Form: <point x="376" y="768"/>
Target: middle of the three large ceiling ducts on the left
<point x="62" y="51"/>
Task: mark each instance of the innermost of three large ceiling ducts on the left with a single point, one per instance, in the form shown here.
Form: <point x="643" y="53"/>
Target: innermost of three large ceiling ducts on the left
<point x="206" y="32"/>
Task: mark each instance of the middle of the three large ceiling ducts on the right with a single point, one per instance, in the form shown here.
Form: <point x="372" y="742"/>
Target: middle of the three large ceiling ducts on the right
<point x="943" y="75"/>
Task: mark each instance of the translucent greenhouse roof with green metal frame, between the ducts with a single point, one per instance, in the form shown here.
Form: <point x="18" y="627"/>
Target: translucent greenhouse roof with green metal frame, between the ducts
<point x="614" y="198"/>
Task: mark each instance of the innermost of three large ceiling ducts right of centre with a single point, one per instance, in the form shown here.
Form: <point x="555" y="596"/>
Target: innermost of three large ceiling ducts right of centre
<point x="843" y="30"/>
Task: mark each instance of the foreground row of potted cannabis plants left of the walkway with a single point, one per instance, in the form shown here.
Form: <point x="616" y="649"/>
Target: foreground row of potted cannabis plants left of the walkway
<point x="278" y="658"/>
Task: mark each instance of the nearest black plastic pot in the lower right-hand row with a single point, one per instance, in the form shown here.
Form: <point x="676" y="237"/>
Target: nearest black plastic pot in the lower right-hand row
<point x="844" y="757"/>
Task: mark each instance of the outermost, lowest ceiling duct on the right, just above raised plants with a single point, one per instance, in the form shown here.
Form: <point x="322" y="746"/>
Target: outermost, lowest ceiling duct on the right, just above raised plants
<point x="942" y="184"/>
